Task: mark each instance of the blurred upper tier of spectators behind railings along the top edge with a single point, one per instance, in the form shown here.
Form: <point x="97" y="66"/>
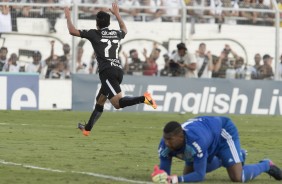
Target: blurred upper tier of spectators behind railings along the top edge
<point x="200" y="11"/>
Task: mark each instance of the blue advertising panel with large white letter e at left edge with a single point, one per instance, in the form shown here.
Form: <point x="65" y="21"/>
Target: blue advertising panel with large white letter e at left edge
<point x="19" y="91"/>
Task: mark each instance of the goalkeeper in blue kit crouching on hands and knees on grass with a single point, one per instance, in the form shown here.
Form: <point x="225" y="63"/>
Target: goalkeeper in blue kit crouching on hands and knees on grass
<point x="206" y="143"/>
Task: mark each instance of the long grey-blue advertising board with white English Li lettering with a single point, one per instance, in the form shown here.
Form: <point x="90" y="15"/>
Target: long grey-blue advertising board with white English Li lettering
<point x="175" y="94"/>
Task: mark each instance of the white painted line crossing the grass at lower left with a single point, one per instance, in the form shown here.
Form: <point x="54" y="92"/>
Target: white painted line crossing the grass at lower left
<point x="76" y="172"/>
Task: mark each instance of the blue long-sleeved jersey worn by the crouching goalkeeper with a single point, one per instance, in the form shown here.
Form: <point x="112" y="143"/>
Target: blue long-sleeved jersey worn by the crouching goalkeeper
<point x="202" y="141"/>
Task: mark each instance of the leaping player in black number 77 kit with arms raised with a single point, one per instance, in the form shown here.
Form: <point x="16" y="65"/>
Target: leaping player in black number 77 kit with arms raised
<point x="106" y="43"/>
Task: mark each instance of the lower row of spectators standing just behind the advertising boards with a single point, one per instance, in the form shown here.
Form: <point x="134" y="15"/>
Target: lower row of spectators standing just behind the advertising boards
<point x="180" y="63"/>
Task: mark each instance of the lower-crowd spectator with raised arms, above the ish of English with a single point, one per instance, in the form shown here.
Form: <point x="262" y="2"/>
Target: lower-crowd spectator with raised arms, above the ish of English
<point x="224" y="67"/>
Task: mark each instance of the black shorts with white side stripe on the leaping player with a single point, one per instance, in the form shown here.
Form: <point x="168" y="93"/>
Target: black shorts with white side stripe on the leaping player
<point x="111" y="79"/>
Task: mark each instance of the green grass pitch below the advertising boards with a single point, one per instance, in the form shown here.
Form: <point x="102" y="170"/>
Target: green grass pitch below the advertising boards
<point x="120" y="145"/>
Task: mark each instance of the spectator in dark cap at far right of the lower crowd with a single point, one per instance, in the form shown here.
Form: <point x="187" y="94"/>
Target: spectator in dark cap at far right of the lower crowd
<point x="265" y="71"/>
